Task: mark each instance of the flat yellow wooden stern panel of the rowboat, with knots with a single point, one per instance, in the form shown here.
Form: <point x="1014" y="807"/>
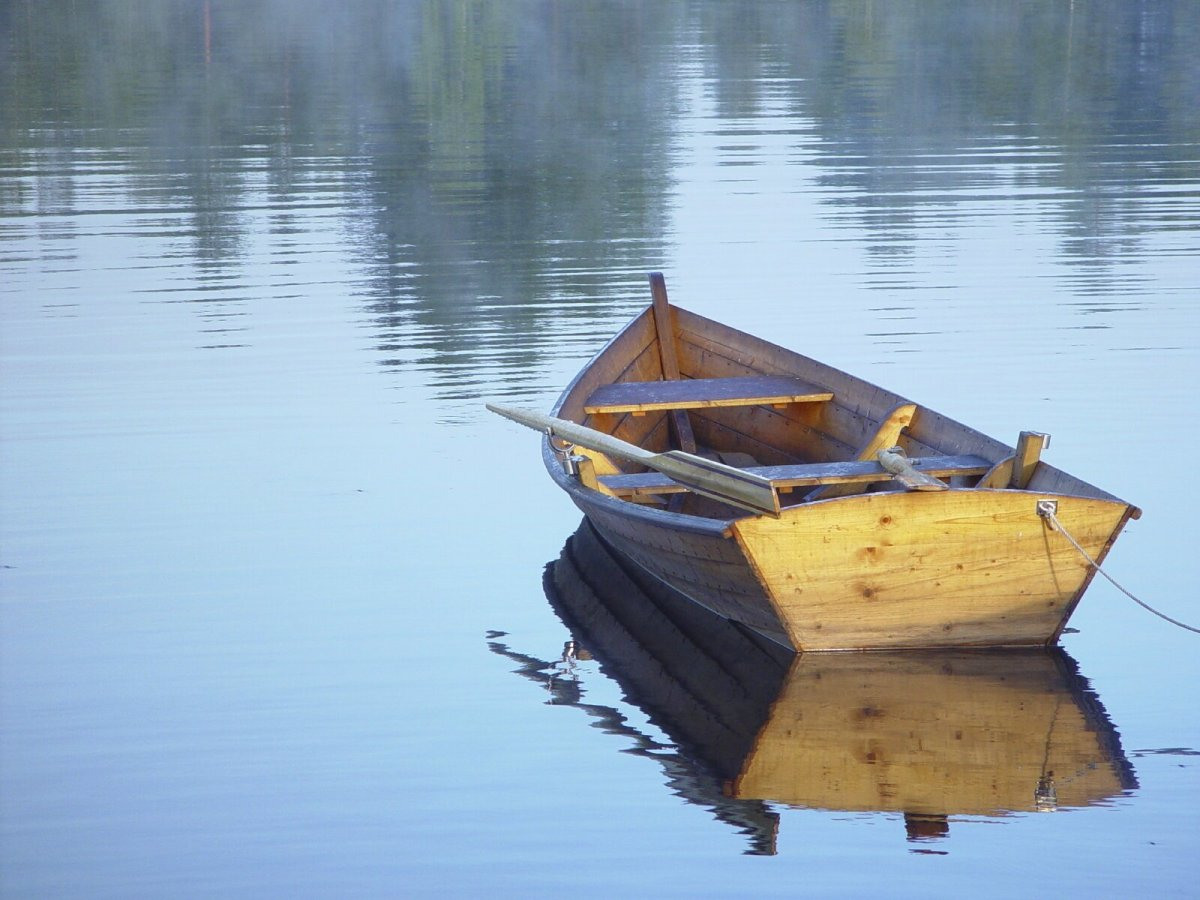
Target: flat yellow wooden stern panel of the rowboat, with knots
<point x="957" y="568"/>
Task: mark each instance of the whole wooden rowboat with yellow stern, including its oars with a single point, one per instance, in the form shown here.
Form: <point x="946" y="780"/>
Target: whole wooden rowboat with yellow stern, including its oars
<point x="813" y="507"/>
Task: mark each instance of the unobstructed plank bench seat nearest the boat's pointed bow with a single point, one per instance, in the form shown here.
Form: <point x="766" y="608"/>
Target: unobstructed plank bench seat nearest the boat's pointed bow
<point x="641" y="398"/>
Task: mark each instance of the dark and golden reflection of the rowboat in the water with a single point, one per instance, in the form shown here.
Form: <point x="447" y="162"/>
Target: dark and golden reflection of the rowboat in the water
<point x="926" y="735"/>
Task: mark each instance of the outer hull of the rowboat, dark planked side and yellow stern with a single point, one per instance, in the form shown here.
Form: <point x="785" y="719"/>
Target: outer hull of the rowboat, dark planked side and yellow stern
<point x="881" y="572"/>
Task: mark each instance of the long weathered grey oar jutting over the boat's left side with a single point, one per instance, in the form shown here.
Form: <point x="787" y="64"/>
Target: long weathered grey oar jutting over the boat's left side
<point x="712" y="479"/>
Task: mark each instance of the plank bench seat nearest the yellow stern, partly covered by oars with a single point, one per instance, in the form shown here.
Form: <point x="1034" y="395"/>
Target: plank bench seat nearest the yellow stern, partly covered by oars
<point x="806" y="476"/>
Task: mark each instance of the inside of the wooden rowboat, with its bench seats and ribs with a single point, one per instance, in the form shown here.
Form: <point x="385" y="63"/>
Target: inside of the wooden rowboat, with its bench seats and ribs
<point x="815" y="433"/>
